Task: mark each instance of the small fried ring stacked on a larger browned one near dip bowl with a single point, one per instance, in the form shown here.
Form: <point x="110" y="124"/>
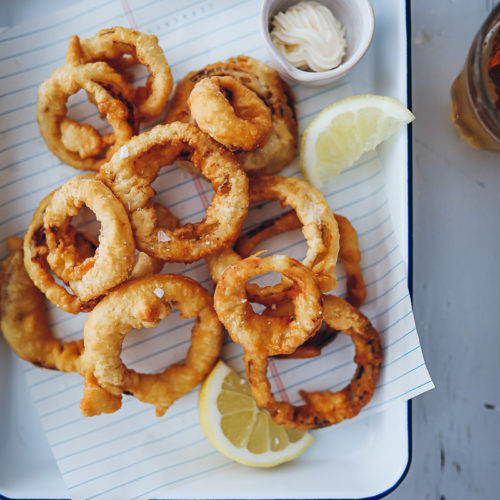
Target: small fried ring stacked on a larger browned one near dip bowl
<point x="272" y="151"/>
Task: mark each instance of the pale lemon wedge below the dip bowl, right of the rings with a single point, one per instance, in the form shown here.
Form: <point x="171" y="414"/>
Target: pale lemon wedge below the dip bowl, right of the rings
<point x="344" y="131"/>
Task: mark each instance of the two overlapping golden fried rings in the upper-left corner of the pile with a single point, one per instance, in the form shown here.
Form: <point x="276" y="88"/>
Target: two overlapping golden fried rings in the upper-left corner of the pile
<point x="97" y="65"/>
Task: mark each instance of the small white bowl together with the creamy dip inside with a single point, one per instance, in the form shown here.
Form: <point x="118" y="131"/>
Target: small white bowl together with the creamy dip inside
<point x="311" y="41"/>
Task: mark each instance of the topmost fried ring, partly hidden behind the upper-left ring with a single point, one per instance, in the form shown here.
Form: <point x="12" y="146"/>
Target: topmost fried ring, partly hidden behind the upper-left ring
<point x="111" y="45"/>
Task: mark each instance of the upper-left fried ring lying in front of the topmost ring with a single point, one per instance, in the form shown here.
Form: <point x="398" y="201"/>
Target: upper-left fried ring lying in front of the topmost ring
<point x="80" y="145"/>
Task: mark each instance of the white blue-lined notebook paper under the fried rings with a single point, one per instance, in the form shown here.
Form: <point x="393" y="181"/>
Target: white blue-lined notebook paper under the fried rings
<point x="132" y="454"/>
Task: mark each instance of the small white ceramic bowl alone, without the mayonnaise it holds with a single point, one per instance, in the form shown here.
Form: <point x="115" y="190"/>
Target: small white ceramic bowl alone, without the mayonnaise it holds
<point x="358" y="20"/>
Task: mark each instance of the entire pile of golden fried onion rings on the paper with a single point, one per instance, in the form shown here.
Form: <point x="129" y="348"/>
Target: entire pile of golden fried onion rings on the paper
<point x="233" y="123"/>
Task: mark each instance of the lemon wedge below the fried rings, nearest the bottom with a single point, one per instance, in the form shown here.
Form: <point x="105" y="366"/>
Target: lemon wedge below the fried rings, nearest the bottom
<point x="239" y="429"/>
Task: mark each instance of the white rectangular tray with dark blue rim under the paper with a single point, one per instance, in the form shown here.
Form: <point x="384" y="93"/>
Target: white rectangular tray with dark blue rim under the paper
<point x="362" y="458"/>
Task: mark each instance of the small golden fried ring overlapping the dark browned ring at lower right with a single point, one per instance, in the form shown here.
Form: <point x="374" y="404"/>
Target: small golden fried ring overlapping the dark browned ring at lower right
<point x="266" y="334"/>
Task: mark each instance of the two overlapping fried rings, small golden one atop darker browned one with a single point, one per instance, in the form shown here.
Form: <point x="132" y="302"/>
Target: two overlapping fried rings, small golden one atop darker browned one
<point x="271" y="335"/>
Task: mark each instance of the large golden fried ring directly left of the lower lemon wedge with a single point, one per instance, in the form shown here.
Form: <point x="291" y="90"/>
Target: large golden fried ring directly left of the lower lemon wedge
<point x="143" y="303"/>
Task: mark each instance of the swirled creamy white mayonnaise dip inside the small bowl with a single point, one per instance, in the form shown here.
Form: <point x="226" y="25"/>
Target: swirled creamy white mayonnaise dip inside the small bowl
<point x="309" y="36"/>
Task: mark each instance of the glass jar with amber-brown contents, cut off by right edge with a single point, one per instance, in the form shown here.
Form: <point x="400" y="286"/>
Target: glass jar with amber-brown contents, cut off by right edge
<point x="475" y="94"/>
